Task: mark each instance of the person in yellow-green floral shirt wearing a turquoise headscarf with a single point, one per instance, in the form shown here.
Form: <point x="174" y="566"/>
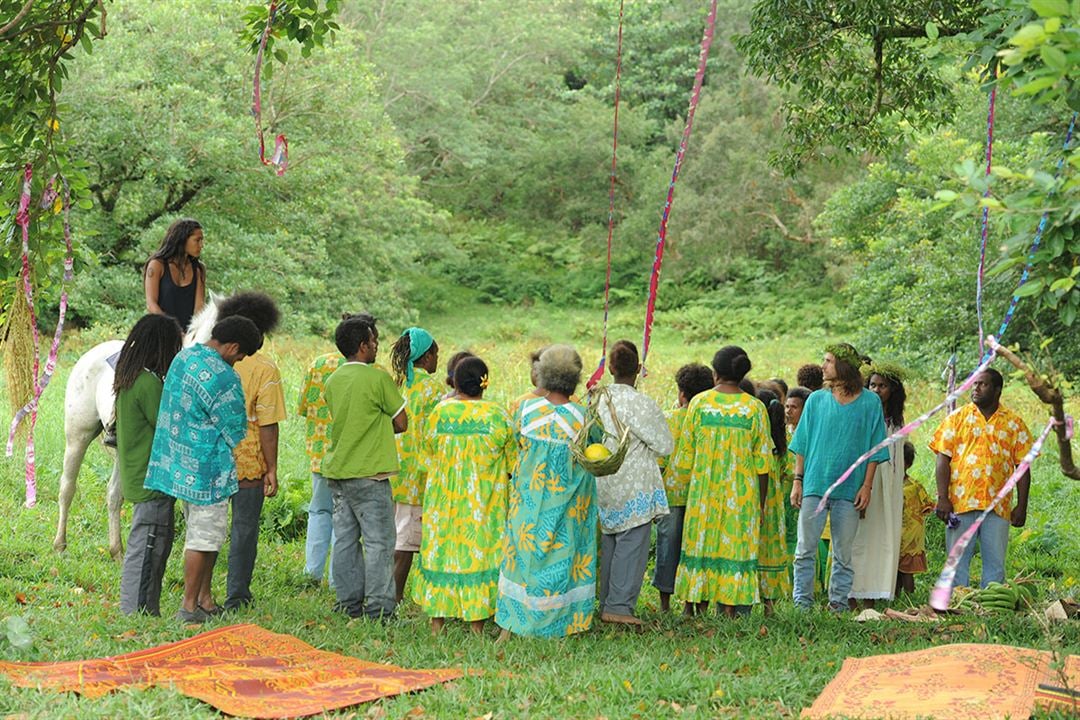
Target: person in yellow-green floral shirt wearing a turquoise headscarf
<point x="414" y="360"/>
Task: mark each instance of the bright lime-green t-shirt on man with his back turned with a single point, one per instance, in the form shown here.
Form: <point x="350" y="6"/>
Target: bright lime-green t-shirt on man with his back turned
<point x="363" y="402"/>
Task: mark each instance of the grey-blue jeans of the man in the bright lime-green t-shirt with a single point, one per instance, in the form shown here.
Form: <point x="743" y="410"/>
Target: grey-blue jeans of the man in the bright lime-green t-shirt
<point x="363" y="577"/>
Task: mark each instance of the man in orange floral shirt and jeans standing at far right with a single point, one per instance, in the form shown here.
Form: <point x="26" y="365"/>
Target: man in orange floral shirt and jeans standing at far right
<point x="979" y="446"/>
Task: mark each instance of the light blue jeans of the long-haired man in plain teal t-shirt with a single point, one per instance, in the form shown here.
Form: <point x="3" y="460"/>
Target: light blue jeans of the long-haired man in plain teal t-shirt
<point x="844" y="521"/>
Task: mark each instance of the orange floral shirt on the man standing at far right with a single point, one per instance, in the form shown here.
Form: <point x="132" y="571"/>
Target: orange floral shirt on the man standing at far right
<point x="984" y="454"/>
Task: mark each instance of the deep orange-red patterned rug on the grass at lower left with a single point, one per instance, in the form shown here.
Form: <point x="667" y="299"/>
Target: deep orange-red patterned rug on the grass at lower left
<point x="241" y="670"/>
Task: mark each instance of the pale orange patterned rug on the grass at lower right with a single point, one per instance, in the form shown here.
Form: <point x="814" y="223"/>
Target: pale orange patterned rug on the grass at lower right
<point x="955" y="682"/>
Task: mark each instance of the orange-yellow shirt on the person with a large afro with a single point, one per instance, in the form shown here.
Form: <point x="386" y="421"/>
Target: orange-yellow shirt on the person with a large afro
<point x="265" y="404"/>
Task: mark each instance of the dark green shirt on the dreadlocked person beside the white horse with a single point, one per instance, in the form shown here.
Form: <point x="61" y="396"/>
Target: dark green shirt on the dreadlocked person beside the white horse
<point x="137" y="419"/>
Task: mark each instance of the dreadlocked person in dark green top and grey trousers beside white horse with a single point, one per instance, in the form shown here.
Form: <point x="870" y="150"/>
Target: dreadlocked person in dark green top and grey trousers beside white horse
<point x="141" y="371"/>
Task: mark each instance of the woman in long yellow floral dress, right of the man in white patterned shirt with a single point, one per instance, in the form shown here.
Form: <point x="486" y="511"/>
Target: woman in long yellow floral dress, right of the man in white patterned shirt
<point x="725" y="452"/>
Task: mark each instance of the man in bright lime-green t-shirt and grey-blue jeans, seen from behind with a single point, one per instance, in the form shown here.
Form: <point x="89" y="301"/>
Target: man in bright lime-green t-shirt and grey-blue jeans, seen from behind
<point x="367" y="411"/>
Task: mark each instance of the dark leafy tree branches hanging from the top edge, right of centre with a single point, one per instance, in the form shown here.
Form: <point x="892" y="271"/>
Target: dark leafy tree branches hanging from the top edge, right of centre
<point x="856" y="67"/>
